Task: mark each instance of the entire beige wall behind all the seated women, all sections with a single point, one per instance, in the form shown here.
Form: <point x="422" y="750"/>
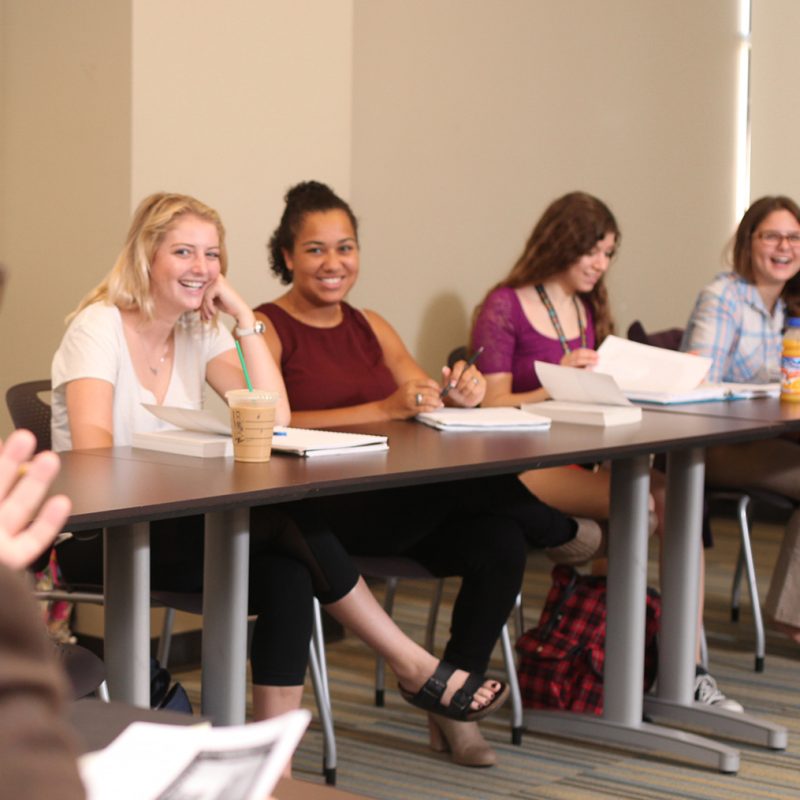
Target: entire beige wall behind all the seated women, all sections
<point x="449" y="123"/>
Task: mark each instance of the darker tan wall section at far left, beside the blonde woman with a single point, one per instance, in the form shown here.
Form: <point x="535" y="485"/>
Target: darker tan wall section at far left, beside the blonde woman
<point x="64" y="167"/>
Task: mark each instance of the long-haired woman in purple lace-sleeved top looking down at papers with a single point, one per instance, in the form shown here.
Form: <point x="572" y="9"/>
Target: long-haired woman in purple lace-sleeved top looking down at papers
<point x="553" y="307"/>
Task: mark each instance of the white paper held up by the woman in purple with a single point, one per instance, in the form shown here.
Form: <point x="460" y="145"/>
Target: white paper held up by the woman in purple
<point x="640" y="367"/>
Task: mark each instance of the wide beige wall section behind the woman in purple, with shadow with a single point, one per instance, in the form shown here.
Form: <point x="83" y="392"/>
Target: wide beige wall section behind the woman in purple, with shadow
<point x="469" y="117"/>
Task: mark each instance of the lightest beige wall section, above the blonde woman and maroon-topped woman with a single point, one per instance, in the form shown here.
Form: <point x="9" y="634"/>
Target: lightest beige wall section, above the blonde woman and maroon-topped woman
<point x="244" y="99"/>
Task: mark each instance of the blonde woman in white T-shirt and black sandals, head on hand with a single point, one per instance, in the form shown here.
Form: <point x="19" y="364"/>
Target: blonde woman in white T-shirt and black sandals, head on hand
<point x="148" y="334"/>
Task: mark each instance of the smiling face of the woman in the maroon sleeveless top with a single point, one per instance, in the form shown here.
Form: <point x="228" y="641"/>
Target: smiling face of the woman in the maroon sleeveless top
<point x="324" y="259"/>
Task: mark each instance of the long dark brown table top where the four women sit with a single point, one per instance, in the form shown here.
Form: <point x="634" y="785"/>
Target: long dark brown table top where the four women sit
<point x="123" y="485"/>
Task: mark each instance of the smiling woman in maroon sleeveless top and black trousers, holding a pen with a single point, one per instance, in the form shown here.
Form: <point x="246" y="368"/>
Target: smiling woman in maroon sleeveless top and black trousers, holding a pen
<point x="344" y="366"/>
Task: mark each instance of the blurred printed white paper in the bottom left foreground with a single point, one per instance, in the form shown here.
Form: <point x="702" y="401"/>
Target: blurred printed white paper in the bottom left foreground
<point x="149" y="761"/>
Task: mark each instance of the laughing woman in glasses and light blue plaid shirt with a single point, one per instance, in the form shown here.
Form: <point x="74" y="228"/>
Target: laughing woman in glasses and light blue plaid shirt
<point x="738" y="322"/>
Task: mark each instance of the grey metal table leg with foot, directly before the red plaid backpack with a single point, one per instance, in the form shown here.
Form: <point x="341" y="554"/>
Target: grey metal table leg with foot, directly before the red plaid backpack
<point x="621" y="723"/>
